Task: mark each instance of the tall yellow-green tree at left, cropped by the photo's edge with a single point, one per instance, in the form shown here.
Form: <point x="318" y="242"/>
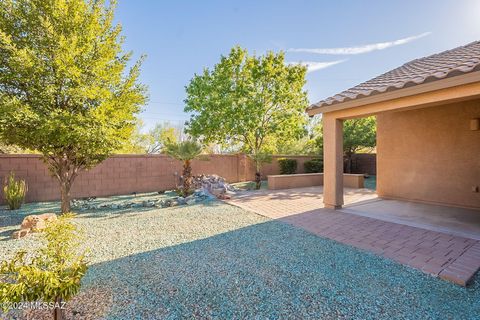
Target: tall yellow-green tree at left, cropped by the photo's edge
<point x="65" y="90"/>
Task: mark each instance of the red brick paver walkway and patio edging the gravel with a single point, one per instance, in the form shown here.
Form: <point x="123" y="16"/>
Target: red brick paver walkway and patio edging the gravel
<point x="452" y="258"/>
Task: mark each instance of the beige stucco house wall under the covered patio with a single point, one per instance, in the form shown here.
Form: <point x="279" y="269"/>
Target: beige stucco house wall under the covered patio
<point x="430" y="154"/>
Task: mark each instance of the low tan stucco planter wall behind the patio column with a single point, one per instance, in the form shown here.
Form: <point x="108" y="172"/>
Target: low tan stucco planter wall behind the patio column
<point x="290" y="181"/>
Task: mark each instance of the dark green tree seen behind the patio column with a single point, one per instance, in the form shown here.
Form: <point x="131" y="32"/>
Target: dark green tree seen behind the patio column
<point x="358" y="134"/>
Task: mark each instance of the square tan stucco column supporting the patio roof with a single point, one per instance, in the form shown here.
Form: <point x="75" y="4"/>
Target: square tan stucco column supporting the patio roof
<point x="332" y="162"/>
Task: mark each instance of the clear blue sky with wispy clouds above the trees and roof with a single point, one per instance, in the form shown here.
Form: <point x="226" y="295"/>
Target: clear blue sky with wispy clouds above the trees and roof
<point x="343" y="42"/>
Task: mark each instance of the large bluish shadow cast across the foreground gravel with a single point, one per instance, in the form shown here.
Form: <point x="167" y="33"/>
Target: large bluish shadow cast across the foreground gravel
<point x="275" y="270"/>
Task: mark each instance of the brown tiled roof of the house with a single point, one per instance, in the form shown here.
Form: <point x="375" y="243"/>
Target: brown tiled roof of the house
<point x="442" y="65"/>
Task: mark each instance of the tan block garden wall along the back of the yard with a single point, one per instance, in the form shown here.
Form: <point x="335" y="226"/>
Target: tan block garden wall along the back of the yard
<point x="125" y="174"/>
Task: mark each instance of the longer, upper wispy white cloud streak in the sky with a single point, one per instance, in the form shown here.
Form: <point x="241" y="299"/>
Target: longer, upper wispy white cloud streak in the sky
<point x="360" y="49"/>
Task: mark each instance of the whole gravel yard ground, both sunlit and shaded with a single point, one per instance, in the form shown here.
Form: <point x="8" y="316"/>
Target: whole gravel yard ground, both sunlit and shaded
<point x="213" y="260"/>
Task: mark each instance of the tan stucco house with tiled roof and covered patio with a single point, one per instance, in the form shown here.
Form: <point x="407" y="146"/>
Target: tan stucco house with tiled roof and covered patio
<point x="428" y="130"/>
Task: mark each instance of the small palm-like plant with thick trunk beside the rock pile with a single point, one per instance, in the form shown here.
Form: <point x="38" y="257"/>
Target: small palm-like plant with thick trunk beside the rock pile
<point x="185" y="151"/>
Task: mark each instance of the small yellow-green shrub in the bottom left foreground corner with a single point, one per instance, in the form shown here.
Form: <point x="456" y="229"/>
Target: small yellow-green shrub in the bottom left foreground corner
<point x="52" y="274"/>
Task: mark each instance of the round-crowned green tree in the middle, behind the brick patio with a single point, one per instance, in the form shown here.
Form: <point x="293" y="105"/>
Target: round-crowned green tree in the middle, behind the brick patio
<point x="255" y="101"/>
